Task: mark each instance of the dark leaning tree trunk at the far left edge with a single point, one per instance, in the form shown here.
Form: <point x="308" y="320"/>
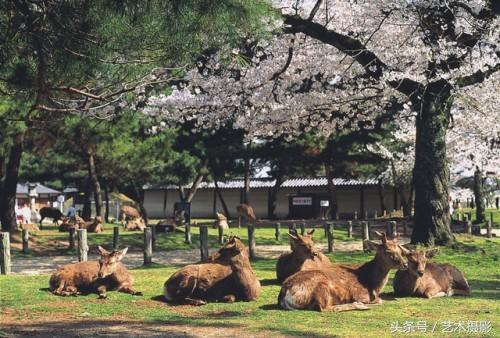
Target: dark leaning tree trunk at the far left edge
<point x="8" y="196"/>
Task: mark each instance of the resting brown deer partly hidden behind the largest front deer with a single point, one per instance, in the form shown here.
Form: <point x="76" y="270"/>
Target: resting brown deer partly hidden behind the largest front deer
<point x="304" y="256"/>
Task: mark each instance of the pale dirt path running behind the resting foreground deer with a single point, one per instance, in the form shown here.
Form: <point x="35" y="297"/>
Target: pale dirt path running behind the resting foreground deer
<point x="47" y="264"/>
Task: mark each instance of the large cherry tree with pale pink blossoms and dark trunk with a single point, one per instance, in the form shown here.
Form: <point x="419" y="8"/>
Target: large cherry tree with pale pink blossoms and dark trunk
<point x="340" y="63"/>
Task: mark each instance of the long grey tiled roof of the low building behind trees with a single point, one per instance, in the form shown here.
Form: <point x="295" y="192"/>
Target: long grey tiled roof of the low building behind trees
<point x="267" y="183"/>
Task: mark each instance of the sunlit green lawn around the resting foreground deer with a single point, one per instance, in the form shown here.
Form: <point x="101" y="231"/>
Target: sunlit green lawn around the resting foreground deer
<point x="24" y="298"/>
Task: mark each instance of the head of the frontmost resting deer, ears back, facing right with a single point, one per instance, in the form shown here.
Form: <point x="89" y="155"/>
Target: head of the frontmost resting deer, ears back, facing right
<point x="389" y="252"/>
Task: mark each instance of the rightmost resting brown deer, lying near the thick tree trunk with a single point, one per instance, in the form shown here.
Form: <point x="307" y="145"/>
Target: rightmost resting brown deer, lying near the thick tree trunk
<point x="429" y="280"/>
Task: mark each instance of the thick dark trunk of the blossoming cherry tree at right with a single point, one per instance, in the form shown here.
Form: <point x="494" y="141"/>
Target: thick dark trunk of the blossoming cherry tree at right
<point x="431" y="173"/>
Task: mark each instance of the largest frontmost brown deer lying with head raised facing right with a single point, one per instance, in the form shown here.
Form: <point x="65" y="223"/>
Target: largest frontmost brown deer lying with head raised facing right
<point x="344" y="287"/>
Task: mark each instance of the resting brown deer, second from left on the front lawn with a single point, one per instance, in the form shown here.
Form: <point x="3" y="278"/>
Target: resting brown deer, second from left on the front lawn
<point x="227" y="277"/>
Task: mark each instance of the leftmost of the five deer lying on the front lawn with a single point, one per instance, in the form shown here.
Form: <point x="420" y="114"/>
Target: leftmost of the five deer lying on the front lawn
<point x="93" y="276"/>
